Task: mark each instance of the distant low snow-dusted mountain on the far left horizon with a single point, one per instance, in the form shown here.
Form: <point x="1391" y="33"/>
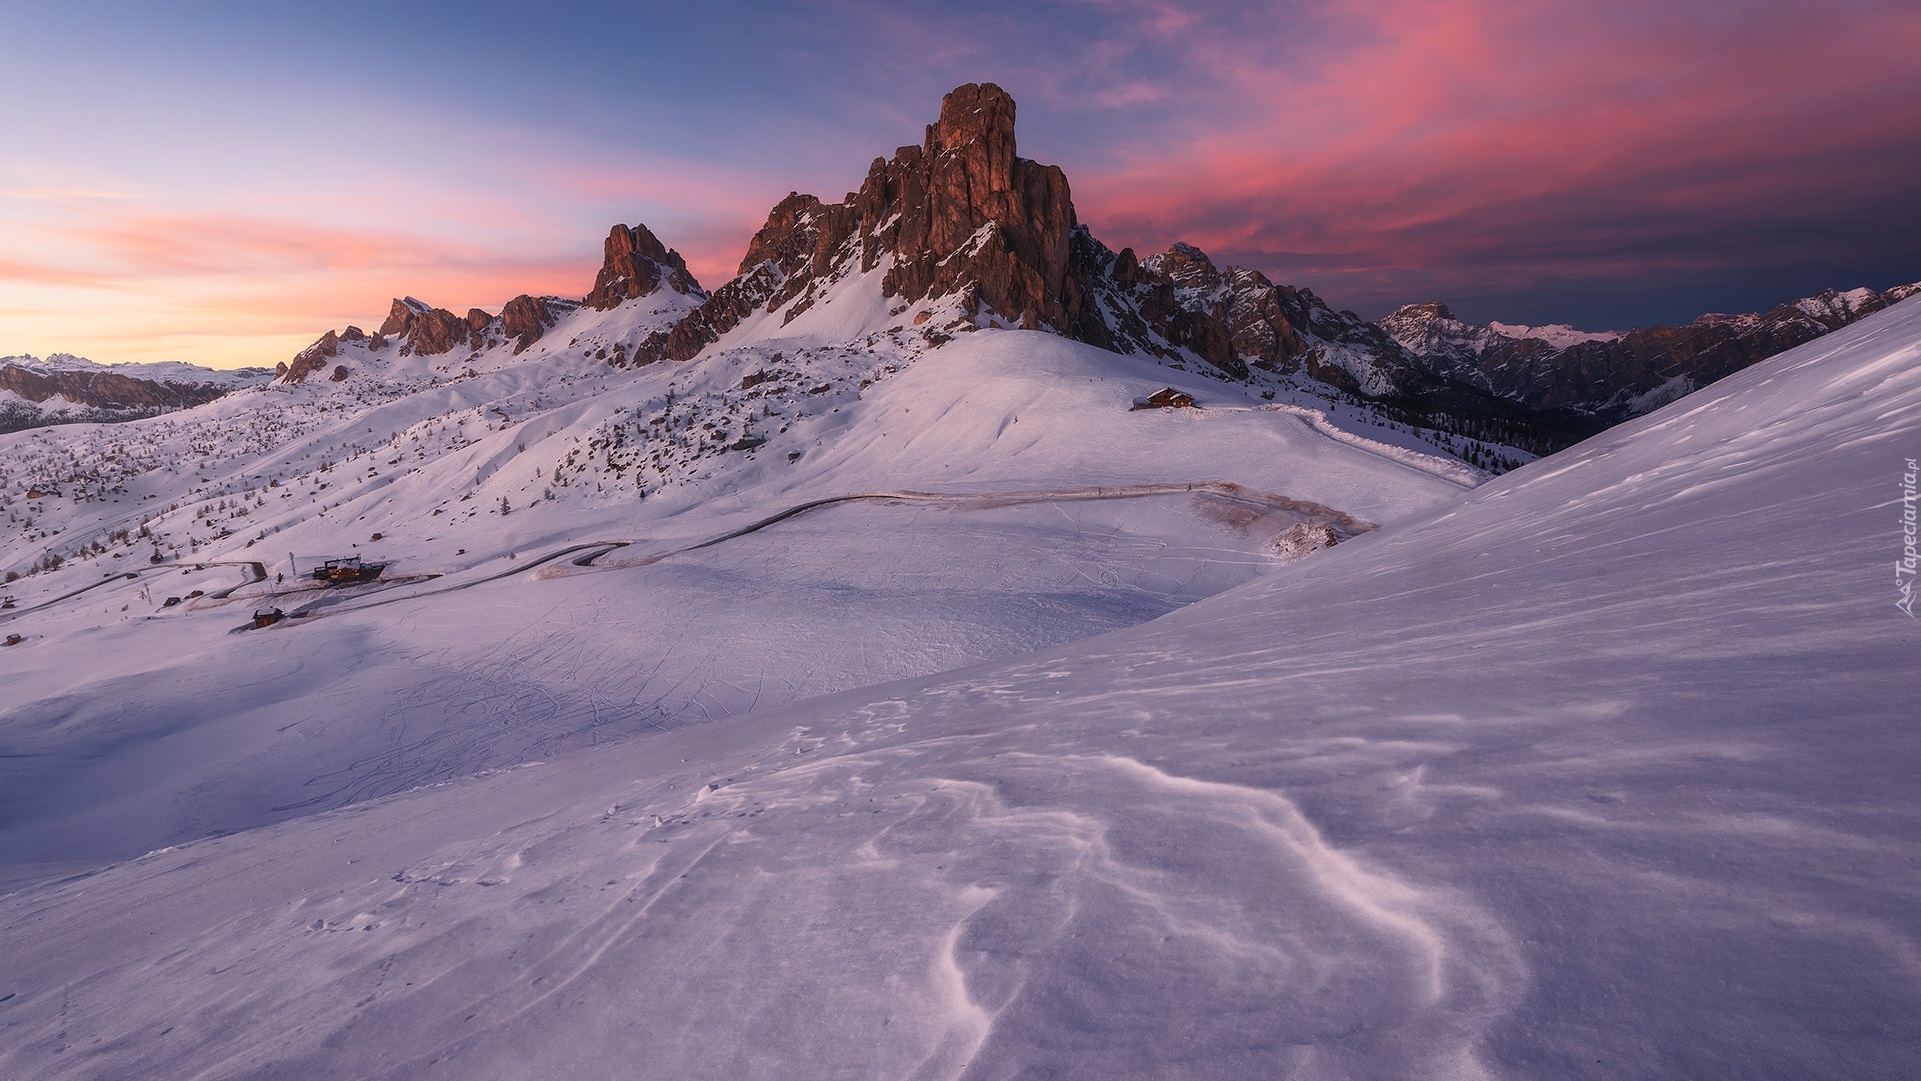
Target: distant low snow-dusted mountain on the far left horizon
<point x="64" y="389"/>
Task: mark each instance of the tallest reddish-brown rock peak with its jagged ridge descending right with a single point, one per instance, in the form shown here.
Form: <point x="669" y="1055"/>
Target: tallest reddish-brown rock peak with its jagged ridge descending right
<point x="963" y="216"/>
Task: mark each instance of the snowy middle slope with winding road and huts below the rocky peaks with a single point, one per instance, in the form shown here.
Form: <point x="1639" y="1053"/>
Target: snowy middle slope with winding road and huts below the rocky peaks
<point x="961" y="504"/>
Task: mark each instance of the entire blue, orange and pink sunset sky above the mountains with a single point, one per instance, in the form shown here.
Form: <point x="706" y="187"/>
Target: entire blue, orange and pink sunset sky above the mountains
<point x="220" y="183"/>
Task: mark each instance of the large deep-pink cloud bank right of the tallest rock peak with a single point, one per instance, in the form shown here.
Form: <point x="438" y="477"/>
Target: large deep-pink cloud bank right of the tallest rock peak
<point x="1424" y="135"/>
